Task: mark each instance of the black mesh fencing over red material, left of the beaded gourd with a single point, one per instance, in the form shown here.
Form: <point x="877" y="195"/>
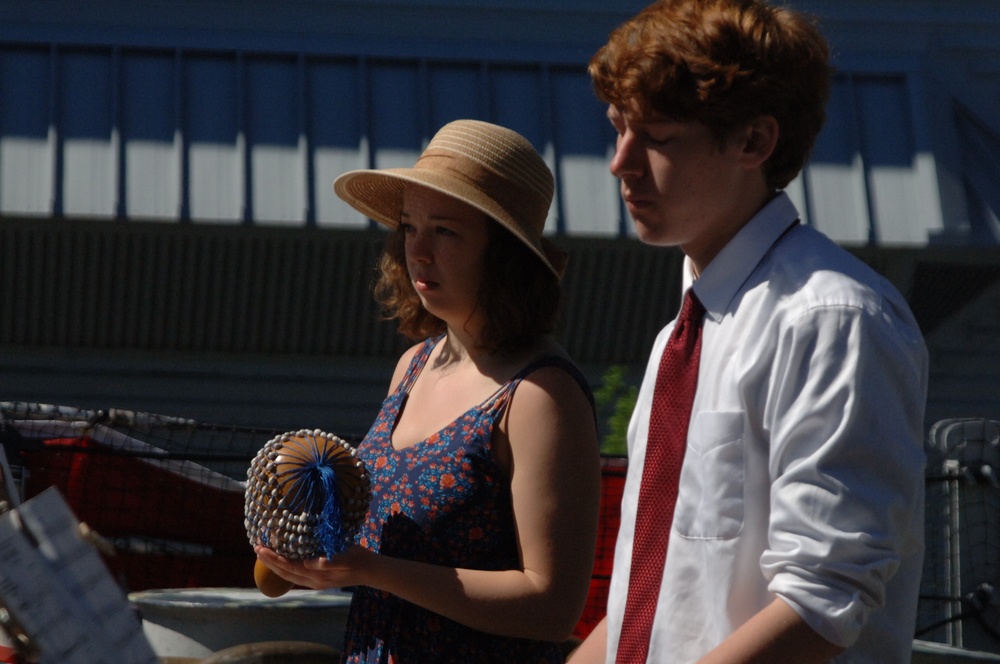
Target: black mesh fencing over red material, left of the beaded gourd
<point x="164" y="493"/>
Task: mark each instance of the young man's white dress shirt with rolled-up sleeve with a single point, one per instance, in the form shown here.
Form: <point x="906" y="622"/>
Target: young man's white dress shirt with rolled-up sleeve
<point x="803" y="475"/>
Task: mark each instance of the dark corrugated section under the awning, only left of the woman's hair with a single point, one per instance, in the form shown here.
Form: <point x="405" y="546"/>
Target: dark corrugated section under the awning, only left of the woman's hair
<point x="185" y="288"/>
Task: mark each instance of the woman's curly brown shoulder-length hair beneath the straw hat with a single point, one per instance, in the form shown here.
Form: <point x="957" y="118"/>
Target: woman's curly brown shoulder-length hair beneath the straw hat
<point x="521" y="297"/>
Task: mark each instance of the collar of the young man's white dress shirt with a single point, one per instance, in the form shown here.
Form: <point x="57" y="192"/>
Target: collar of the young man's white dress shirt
<point x="725" y="275"/>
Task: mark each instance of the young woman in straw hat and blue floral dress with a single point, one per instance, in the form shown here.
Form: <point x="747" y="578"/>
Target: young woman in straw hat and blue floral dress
<point x="484" y="458"/>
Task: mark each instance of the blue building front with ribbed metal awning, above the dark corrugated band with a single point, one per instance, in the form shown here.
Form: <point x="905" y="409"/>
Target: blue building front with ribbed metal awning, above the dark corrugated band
<point x="111" y="115"/>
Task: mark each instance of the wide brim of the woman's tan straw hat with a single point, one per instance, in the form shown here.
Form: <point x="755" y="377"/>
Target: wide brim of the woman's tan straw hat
<point x="378" y="194"/>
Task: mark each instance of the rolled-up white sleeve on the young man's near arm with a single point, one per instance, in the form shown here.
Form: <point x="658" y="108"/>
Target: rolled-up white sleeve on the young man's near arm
<point x="846" y="462"/>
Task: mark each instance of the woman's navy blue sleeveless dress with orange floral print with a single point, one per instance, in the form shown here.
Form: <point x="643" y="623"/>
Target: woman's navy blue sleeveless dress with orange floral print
<point x="443" y="501"/>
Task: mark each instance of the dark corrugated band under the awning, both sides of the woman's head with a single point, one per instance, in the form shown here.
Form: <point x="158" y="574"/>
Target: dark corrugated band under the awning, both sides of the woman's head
<point x="185" y="288"/>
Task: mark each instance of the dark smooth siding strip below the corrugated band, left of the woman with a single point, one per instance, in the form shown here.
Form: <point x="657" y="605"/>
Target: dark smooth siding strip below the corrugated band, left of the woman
<point x="335" y="394"/>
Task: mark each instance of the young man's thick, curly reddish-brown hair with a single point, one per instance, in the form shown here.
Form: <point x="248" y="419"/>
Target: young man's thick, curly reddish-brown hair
<point x="723" y="63"/>
